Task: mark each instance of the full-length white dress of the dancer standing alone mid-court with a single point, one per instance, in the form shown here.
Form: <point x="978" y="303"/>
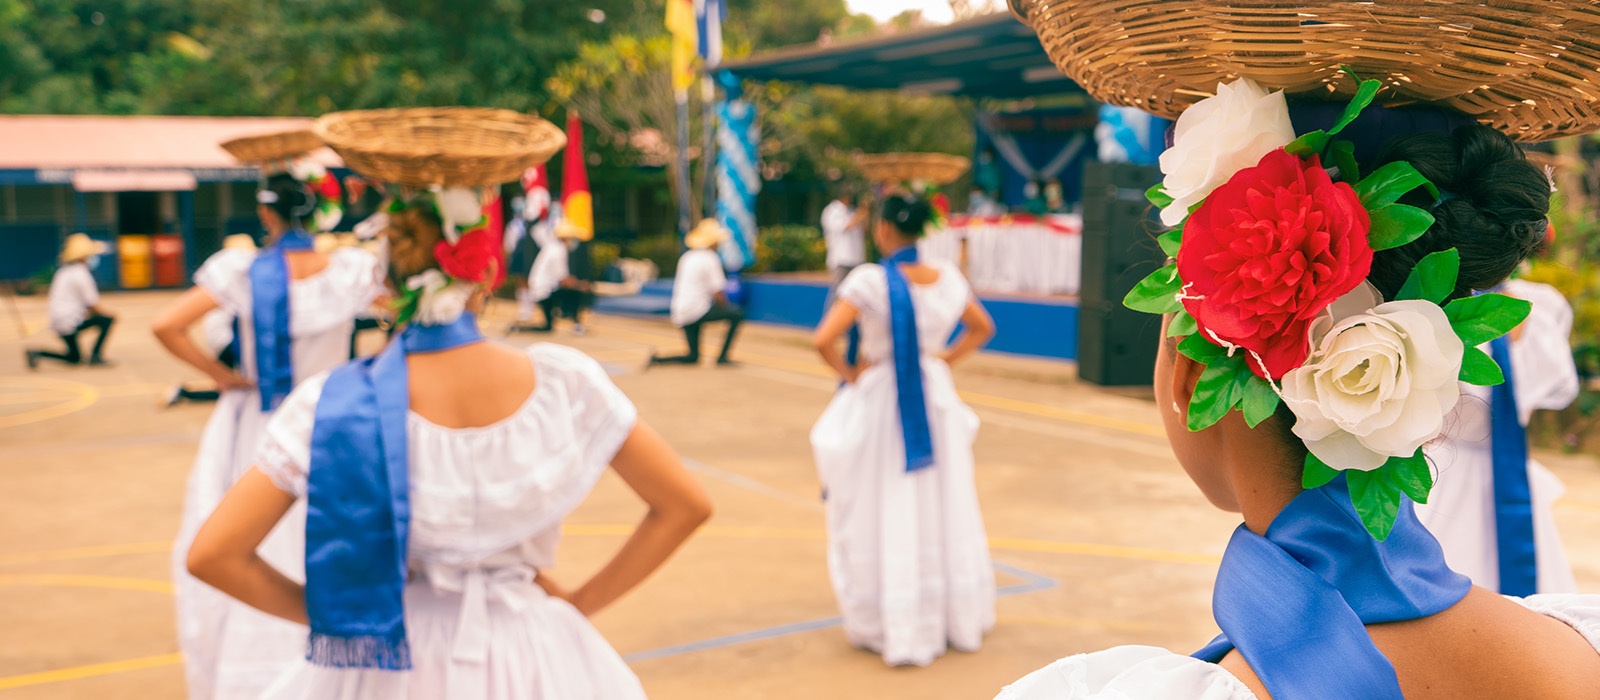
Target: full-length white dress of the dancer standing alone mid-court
<point x="908" y="552"/>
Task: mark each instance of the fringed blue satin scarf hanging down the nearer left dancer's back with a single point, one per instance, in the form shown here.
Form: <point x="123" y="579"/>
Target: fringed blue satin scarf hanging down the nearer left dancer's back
<point x="359" y="507"/>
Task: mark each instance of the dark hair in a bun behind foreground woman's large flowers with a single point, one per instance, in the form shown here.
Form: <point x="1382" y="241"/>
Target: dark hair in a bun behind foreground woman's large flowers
<point x="1492" y="209"/>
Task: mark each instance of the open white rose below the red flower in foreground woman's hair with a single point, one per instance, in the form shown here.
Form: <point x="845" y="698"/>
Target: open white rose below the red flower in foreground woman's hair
<point x="1377" y="386"/>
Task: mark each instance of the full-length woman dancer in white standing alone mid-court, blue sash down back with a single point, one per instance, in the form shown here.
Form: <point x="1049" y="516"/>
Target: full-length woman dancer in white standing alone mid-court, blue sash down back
<point x="895" y="453"/>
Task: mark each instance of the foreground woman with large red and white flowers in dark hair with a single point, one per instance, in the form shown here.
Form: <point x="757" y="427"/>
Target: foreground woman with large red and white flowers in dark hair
<point x="1340" y="333"/>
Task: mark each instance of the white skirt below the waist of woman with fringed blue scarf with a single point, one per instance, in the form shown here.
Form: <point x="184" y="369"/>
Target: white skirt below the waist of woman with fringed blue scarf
<point x="543" y="651"/>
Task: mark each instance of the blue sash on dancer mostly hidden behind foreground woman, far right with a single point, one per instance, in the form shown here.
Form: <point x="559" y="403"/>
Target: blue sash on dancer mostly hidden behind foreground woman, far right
<point x="1519" y="559"/>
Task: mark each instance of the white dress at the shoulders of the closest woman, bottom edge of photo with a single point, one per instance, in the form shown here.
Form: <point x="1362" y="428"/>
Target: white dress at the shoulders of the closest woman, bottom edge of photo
<point x="1153" y="674"/>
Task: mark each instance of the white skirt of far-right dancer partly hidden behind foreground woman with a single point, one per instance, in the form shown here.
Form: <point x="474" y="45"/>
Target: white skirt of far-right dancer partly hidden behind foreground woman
<point x="1462" y="515"/>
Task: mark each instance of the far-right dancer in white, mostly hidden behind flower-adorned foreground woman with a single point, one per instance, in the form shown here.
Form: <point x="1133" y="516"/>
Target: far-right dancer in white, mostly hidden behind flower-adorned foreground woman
<point x="1494" y="507"/>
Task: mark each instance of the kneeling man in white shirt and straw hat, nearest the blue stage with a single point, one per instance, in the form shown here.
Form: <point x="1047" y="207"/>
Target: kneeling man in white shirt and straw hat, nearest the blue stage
<point x="700" y="295"/>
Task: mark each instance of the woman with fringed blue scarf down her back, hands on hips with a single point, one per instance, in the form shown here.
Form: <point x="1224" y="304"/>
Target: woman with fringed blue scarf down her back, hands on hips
<point x="438" y="475"/>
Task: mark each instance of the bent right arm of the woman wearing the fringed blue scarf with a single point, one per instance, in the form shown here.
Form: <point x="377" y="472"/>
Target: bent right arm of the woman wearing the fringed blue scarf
<point x="678" y="506"/>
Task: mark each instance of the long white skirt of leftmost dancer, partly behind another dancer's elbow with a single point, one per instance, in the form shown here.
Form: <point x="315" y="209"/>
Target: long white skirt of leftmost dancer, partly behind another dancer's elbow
<point x="234" y="651"/>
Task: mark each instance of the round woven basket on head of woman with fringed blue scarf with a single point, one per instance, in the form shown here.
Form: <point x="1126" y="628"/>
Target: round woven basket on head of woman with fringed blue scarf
<point x="441" y="146"/>
